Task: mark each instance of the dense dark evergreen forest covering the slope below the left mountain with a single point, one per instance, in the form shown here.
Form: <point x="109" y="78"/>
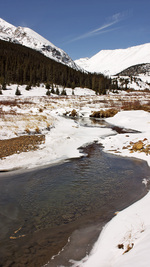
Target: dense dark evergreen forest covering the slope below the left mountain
<point x="22" y="65"/>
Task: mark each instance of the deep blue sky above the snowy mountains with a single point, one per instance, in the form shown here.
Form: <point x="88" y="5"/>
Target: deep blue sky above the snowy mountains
<point x="83" y="27"/>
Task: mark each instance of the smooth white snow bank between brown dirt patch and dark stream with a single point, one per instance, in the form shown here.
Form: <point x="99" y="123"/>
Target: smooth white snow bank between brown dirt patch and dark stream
<point x="61" y="143"/>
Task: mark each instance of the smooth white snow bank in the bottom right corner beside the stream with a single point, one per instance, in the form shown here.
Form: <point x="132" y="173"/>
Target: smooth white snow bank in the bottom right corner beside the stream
<point x="129" y="229"/>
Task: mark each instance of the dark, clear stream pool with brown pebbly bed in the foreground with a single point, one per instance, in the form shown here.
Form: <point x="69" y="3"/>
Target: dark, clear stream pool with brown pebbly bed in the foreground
<point x="40" y="210"/>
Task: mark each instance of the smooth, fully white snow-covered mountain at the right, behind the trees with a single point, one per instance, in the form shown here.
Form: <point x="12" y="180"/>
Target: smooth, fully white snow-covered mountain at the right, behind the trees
<point x="111" y="62"/>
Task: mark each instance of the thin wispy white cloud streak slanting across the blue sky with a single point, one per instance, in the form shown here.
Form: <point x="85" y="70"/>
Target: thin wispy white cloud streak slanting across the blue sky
<point x="107" y="26"/>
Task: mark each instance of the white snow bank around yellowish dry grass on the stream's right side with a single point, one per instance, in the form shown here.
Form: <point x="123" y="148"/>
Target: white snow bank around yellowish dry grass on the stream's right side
<point x="138" y="120"/>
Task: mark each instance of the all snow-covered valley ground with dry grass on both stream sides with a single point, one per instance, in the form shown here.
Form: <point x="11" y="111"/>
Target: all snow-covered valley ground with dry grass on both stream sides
<point x="125" y="240"/>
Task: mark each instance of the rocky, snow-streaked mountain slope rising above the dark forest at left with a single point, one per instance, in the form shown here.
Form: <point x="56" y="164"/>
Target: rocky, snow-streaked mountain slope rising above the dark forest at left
<point x="29" y="38"/>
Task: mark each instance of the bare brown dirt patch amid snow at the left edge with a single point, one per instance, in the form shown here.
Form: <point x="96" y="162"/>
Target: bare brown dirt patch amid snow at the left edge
<point x="20" y="144"/>
